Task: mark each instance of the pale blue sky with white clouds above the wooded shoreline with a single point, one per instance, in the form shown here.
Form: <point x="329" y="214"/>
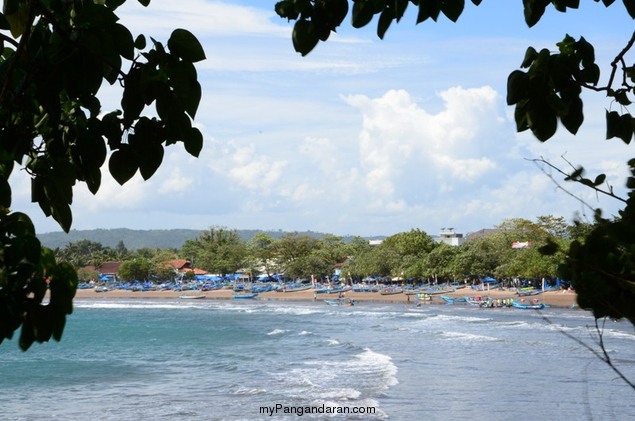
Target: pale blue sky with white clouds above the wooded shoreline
<point x="362" y="136"/>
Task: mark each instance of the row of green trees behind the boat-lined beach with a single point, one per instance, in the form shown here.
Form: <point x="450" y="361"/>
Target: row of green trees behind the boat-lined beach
<point x="411" y="255"/>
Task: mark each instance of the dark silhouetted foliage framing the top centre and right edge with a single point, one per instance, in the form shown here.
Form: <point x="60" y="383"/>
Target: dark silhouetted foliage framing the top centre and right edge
<point x="546" y="95"/>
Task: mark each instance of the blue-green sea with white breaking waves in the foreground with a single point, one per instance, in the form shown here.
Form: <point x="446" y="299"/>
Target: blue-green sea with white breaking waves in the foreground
<point x="136" y="359"/>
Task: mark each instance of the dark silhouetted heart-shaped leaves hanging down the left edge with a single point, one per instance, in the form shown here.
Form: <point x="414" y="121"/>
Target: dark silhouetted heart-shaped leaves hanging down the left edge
<point x="55" y="57"/>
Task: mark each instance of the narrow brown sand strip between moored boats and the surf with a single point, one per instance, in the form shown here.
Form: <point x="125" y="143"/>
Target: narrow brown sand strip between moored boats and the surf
<point x="560" y="299"/>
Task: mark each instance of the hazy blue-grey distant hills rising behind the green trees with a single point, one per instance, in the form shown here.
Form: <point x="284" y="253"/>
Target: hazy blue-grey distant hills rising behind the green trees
<point x="136" y="239"/>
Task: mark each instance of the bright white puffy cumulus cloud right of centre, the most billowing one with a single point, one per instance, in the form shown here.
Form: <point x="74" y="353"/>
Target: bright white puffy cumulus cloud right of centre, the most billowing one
<point x="404" y="147"/>
